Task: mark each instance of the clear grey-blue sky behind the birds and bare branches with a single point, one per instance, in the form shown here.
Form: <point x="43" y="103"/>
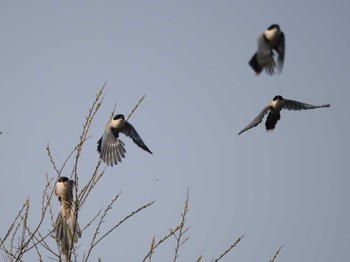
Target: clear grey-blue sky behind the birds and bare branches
<point x="190" y="59"/>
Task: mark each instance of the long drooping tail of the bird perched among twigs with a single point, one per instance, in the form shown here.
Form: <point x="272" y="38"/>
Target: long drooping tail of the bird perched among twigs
<point x="67" y="230"/>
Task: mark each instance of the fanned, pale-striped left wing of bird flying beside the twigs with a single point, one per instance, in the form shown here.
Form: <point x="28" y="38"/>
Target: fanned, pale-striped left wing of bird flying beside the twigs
<point x="111" y="148"/>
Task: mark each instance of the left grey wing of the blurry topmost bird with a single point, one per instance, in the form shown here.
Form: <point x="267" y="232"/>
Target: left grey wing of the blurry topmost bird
<point x="265" y="55"/>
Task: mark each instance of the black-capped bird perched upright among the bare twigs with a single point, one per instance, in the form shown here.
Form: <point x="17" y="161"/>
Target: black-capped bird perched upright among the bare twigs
<point x="67" y="230"/>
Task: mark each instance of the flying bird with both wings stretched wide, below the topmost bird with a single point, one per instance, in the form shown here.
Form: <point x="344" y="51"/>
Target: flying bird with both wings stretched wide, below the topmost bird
<point x="273" y="108"/>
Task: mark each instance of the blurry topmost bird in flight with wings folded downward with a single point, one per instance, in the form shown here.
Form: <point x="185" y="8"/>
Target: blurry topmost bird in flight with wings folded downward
<point x="271" y="40"/>
